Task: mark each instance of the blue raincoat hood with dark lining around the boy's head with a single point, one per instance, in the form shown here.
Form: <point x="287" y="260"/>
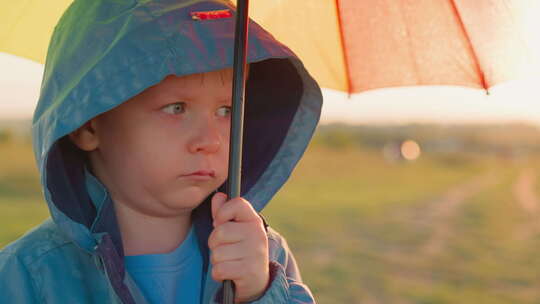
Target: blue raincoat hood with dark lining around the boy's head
<point x="104" y="52"/>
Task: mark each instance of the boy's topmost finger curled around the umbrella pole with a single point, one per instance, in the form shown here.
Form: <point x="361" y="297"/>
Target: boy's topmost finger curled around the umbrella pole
<point x="237" y="209"/>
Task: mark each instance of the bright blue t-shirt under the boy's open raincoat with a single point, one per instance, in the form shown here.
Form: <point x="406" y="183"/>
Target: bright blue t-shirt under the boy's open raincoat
<point x="173" y="277"/>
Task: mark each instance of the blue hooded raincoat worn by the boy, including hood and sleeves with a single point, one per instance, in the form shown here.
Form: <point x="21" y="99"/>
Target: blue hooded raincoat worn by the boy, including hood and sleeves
<point x="104" y="52"/>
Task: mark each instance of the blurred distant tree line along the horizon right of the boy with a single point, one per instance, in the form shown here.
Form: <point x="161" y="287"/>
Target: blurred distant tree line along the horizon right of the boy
<point x="501" y="139"/>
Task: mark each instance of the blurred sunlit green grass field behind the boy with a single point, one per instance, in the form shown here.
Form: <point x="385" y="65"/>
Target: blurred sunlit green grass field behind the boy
<point x="443" y="229"/>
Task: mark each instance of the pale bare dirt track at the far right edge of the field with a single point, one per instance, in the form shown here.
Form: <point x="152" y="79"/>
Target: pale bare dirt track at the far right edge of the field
<point x="526" y="197"/>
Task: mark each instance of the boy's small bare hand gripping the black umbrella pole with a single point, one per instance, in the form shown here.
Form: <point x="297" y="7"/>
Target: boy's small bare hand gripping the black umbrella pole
<point x="239" y="247"/>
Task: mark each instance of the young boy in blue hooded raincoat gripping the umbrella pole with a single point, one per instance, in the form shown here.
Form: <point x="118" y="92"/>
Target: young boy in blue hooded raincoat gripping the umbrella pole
<point x="131" y="137"/>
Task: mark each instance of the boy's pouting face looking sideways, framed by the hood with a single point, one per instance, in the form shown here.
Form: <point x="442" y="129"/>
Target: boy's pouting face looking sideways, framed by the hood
<point x="147" y="148"/>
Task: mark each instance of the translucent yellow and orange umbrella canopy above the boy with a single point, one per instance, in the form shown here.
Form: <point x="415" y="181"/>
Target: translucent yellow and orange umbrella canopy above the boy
<point x="359" y="45"/>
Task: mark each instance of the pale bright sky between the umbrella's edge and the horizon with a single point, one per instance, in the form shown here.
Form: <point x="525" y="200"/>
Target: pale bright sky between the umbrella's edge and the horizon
<point x="517" y="101"/>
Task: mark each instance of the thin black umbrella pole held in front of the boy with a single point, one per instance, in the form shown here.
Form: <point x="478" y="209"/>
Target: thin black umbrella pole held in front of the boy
<point x="237" y="119"/>
